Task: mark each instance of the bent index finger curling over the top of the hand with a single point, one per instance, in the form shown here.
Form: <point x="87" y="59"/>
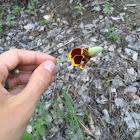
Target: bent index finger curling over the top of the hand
<point x="11" y="59"/>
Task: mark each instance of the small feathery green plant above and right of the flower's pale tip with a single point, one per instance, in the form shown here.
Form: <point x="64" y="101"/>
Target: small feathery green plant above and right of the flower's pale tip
<point x="110" y="34"/>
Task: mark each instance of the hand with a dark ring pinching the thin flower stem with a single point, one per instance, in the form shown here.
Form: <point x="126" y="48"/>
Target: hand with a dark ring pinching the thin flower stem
<point x="18" y="105"/>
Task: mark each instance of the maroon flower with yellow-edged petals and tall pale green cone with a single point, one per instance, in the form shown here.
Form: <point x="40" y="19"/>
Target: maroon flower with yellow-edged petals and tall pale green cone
<point x="82" y="56"/>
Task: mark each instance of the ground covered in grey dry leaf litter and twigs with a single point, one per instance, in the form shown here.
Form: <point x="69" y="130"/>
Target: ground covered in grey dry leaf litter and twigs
<point x="105" y="95"/>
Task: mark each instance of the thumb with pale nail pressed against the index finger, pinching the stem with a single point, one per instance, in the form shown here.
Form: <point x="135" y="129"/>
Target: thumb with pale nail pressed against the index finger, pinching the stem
<point x="39" y="81"/>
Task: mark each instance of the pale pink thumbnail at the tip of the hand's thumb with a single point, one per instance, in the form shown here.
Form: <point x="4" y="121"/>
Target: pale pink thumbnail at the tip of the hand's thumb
<point x="49" y="66"/>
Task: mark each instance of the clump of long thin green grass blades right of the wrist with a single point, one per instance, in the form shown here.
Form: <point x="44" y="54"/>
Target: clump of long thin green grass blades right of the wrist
<point x="70" y="118"/>
